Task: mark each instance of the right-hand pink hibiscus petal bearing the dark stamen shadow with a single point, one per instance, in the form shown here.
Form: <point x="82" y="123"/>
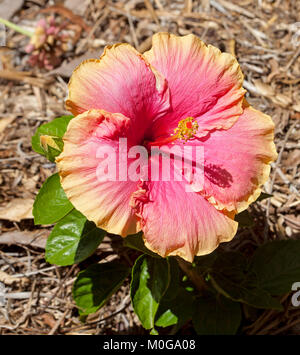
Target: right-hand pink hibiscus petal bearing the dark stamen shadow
<point x="237" y="161"/>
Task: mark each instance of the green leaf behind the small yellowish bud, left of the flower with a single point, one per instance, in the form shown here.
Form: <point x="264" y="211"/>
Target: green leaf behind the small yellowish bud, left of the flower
<point x="56" y="129"/>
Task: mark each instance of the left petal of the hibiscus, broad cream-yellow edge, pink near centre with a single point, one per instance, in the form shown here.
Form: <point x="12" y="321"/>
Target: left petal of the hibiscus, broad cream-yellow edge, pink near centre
<point x="104" y="202"/>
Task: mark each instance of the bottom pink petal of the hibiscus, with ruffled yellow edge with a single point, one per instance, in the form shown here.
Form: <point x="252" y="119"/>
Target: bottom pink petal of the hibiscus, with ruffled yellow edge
<point x="177" y="222"/>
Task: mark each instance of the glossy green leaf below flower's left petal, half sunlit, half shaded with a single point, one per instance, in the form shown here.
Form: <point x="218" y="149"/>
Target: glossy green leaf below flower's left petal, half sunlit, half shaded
<point x="72" y="240"/>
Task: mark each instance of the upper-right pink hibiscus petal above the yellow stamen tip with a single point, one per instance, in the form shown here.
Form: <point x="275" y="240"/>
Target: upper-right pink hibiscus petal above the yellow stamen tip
<point x="204" y="83"/>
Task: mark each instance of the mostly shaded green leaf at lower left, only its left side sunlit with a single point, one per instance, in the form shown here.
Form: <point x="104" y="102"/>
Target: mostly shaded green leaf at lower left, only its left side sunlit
<point x="95" y="285"/>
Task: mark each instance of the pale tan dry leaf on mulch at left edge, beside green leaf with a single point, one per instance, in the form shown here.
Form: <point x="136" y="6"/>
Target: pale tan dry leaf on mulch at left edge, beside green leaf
<point x="17" y="209"/>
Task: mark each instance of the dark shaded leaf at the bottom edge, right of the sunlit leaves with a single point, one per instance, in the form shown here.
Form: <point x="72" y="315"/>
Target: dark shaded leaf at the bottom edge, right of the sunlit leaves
<point x="216" y="316"/>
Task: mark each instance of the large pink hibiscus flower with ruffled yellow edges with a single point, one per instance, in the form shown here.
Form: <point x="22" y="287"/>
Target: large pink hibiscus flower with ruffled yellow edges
<point x="181" y="88"/>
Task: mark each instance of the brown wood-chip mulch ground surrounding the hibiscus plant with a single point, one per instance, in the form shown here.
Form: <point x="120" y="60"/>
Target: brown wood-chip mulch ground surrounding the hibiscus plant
<point x="35" y="297"/>
